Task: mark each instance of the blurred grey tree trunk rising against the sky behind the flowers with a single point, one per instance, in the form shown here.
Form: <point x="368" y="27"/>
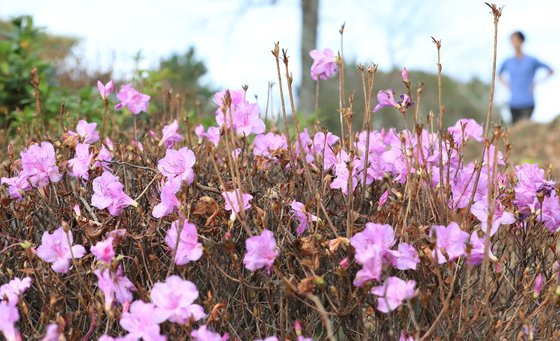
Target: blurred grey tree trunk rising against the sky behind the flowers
<point x="309" y="23"/>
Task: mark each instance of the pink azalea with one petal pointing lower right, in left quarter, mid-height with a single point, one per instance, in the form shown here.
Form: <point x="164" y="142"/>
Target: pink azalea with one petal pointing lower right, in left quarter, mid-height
<point x="108" y="193"/>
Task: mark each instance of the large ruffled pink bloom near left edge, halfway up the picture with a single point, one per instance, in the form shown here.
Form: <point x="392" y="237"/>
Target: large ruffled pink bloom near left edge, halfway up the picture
<point x="39" y="164"/>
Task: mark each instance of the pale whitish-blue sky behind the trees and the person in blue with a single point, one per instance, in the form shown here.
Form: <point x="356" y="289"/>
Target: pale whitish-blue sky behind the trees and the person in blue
<point x="235" y="39"/>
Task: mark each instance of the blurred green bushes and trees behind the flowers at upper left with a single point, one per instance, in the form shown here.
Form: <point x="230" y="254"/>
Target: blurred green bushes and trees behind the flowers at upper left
<point x="64" y="78"/>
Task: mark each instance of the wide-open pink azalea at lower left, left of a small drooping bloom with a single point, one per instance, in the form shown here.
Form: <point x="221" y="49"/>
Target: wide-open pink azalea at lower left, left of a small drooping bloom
<point x="57" y="248"/>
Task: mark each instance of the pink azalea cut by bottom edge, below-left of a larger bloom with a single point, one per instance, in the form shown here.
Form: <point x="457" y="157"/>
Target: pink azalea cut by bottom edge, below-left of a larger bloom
<point x="142" y="321"/>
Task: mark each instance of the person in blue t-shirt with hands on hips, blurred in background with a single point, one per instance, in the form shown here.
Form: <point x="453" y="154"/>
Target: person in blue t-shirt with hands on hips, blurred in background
<point x="521" y="70"/>
